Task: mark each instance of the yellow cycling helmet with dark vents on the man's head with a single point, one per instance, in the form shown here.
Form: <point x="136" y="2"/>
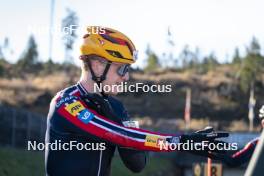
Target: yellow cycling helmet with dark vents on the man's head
<point x="109" y="44"/>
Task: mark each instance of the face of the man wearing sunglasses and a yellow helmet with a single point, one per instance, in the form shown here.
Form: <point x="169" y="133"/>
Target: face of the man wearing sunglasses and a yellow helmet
<point x="112" y="77"/>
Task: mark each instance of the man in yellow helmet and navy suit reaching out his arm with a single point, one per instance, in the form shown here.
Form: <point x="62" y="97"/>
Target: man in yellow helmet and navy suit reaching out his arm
<point x="90" y="125"/>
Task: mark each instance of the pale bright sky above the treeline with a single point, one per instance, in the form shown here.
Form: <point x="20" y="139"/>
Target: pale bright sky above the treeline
<point x="211" y="25"/>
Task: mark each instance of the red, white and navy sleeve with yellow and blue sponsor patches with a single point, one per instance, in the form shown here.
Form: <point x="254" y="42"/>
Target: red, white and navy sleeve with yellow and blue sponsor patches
<point x="75" y="111"/>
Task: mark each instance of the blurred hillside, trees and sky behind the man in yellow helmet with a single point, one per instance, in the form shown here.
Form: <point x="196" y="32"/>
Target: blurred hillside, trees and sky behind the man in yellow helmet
<point x="211" y="52"/>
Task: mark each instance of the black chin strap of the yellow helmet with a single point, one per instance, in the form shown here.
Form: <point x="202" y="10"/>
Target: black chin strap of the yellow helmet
<point x="99" y="79"/>
